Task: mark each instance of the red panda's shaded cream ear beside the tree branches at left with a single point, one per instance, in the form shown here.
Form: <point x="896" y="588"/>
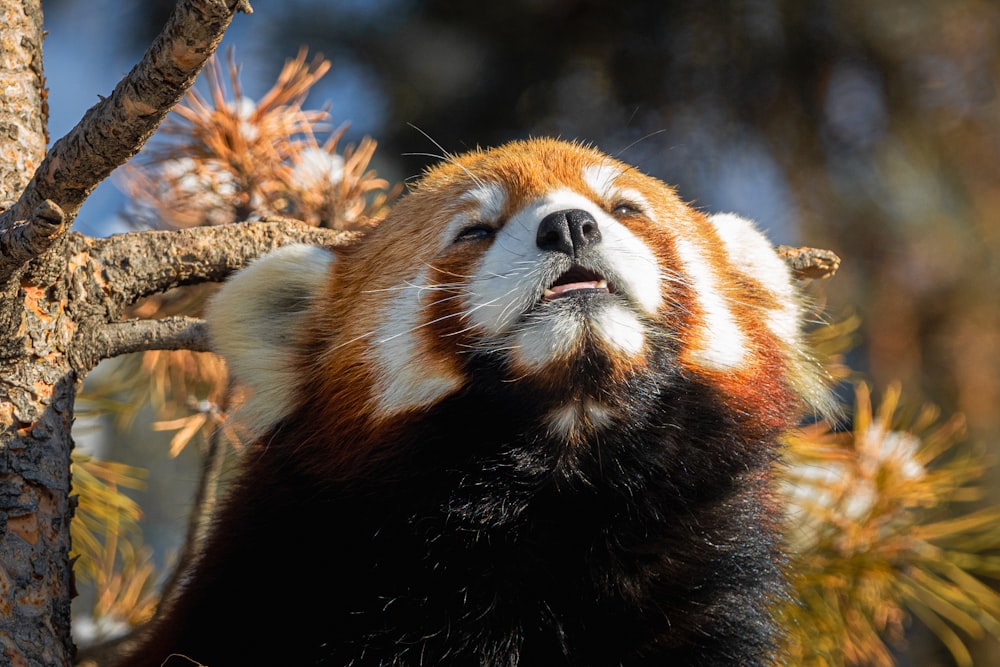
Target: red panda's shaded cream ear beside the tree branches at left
<point x="254" y="320"/>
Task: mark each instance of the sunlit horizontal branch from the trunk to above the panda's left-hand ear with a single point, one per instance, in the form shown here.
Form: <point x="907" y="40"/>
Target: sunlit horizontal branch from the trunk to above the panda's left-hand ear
<point x="138" y="264"/>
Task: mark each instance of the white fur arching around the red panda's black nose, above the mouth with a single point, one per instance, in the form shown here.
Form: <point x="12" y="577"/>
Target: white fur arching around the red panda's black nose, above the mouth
<point x="508" y="280"/>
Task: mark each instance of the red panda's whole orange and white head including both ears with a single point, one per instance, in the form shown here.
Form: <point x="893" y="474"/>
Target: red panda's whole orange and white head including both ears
<point x="556" y="266"/>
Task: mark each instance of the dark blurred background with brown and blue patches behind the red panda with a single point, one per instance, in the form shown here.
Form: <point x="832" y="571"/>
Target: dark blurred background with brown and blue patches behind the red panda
<point x="869" y="128"/>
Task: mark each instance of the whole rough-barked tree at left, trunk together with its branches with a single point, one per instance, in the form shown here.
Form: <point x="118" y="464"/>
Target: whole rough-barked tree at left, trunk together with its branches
<point x="62" y="295"/>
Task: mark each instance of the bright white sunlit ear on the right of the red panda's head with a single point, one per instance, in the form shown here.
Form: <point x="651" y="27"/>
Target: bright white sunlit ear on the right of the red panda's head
<point x="752" y="255"/>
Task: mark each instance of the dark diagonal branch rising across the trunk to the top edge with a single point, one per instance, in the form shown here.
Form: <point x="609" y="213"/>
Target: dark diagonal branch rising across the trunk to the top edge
<point x="114" y="130"/>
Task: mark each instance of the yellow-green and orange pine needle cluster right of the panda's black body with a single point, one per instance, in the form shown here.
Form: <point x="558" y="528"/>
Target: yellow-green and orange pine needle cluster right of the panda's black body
<point x="879" y="533"/>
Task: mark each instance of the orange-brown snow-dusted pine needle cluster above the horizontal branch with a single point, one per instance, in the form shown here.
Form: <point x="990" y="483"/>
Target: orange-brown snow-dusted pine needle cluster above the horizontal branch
<point x="224" y="157"/>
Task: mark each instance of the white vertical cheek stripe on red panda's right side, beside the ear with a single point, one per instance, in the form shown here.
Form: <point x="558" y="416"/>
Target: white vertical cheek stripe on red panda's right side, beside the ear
<point x="720" y="344"/>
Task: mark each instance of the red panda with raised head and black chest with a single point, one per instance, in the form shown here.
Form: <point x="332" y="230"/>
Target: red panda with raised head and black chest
<point x="529" y="419"/>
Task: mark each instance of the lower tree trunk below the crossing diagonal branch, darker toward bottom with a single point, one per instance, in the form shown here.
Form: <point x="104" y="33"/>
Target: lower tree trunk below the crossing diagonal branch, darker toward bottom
<point x="37" y="392"/>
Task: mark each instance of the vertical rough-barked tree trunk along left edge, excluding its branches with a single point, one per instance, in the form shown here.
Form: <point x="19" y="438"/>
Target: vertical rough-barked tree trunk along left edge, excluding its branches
<point x="37" y="386"/>
